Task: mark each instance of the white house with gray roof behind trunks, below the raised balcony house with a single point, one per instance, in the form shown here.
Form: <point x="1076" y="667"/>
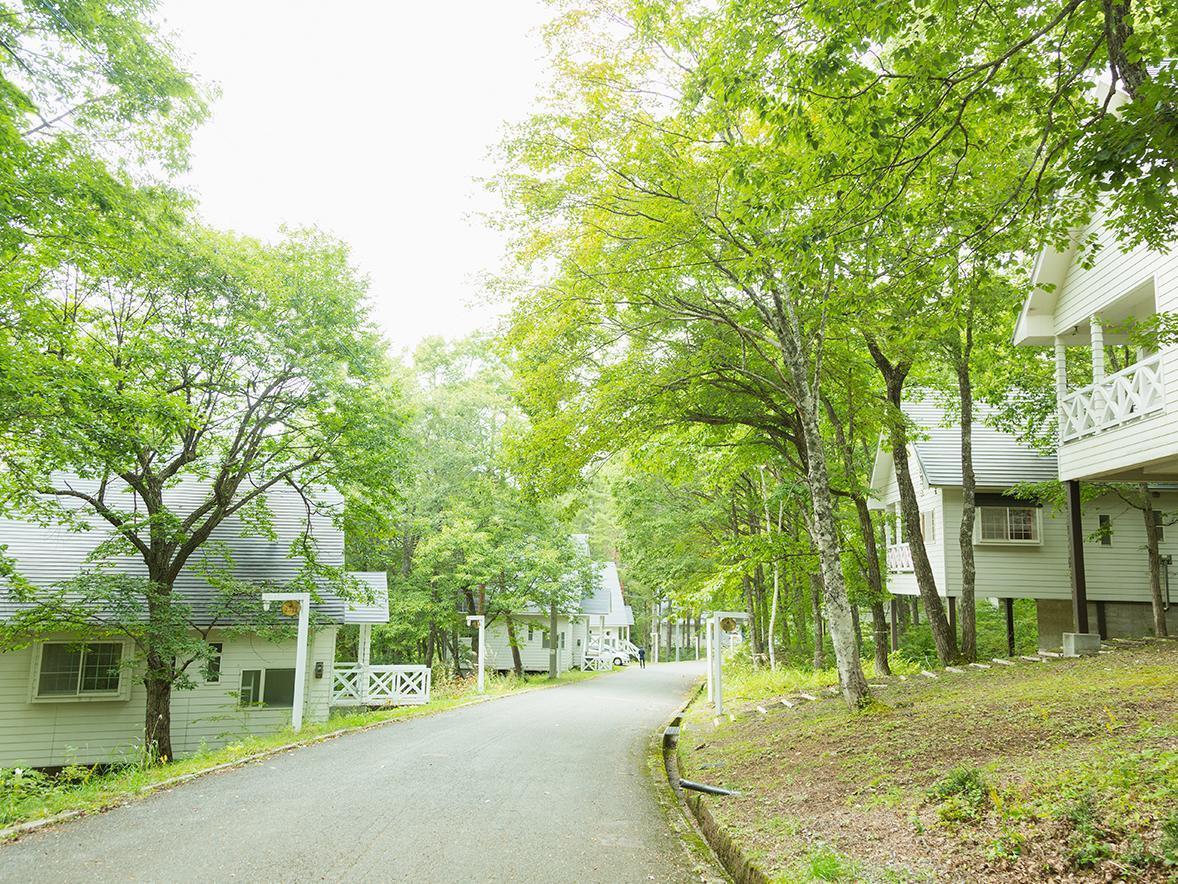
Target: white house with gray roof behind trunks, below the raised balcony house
<point x="1021" y="547"/>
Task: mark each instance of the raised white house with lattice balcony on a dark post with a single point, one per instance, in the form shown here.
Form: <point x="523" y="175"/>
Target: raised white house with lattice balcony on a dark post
<point x="1122" y="424"/>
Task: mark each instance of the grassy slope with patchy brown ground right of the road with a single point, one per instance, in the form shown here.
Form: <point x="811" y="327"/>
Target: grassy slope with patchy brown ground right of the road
<point x="1064" y="770"/>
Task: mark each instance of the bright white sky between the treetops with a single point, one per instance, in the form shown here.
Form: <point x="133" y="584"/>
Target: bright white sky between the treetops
<point x="369" y="120"/>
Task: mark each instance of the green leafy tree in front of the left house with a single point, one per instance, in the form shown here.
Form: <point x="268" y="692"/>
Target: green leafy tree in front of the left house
<point x="235" y="366"/>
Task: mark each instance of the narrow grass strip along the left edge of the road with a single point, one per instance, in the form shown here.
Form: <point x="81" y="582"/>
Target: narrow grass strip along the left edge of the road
<point x="29" y="795"/>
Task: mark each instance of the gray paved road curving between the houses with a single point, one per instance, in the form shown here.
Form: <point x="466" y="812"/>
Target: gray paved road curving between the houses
<point x="545" y="787"/>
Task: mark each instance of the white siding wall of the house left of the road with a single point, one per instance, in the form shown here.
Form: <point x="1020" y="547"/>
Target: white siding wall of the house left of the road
<point x="57" y="734"/>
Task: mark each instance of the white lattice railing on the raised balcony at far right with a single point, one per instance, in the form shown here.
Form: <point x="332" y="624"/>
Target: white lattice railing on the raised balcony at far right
<point x="1130" y="394"/>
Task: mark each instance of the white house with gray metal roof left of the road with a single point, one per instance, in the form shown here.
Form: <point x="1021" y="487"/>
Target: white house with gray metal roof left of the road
<point x="81" y="698"/>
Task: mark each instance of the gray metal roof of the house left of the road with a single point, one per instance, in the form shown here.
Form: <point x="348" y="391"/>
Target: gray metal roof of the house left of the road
<point x="50" y="555"/>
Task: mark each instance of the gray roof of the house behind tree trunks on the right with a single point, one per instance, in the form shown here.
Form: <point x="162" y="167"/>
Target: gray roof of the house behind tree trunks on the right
<point x="1000" y="459"/>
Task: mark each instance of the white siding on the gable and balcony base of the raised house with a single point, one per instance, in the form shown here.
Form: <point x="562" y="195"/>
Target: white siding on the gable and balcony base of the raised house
<point x="1087" y="293"/>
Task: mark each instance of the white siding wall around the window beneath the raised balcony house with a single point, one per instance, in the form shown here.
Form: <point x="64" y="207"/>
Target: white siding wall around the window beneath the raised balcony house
<point x="1119" y="572"/>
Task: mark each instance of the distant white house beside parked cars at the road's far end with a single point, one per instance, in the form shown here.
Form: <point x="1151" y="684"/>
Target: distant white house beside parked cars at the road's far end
<point x="603" y="612"/>
